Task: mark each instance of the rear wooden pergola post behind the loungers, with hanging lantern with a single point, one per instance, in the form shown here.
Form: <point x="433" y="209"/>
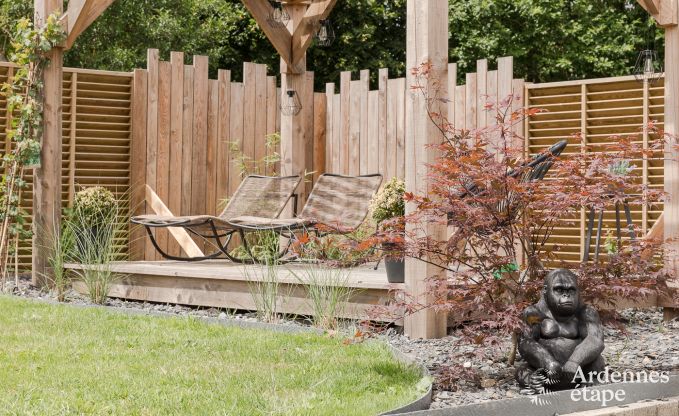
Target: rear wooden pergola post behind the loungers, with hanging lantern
<point x="292" y="126"/>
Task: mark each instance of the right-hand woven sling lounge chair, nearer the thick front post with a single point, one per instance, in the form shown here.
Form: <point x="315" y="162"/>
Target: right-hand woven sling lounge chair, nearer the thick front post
<point x="337" y="204"/>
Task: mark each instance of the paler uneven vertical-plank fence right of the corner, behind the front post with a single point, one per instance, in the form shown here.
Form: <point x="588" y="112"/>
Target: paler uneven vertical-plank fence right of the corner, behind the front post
<point x="365" y="129"/>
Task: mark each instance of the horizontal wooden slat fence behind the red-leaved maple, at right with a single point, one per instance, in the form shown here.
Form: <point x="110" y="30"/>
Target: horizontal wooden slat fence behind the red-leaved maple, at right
<point x="590" y="113"/>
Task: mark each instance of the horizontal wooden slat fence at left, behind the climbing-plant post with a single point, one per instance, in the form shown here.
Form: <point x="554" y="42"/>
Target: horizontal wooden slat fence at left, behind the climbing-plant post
<point x="96" y="138"/>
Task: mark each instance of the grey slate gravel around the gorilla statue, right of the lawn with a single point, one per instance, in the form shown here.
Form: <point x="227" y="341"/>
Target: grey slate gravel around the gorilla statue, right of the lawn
<point x="648" y="343"/>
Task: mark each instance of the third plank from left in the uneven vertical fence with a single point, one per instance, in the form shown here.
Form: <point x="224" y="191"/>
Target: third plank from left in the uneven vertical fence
<point x="163" y="157"/>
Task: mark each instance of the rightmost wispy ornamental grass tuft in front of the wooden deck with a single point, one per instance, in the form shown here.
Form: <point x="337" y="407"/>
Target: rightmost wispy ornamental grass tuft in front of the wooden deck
<point x="328" y="292"/>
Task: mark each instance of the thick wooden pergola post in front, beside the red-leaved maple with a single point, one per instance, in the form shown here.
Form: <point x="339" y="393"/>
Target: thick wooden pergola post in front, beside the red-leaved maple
<point x="427" y="41"/>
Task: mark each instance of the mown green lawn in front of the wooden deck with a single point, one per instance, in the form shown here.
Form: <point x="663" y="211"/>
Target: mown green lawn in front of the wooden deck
<point x="59" y="359"/>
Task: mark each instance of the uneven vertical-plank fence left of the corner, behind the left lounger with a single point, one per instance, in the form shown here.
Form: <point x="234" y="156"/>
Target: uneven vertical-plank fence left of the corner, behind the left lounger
<point x="186" y="125"/>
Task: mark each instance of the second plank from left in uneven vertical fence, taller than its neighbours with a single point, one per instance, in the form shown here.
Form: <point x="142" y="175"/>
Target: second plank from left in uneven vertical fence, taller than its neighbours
<point x="152" y="64"/>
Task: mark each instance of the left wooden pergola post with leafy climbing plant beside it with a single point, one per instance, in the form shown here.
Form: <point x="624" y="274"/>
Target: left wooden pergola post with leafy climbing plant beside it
<point x="47" y="178"/>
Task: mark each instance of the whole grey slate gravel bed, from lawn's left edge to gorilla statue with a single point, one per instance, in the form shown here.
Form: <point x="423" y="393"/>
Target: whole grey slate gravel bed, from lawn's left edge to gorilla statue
<point x="648" y="343"/>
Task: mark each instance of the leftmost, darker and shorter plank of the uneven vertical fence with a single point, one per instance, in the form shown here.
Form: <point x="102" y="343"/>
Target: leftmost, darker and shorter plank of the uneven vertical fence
<point x="138" y="162"/>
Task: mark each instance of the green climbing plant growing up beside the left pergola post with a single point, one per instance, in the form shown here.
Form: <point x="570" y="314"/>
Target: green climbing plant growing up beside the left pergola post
<point x="23" y="92"/>
